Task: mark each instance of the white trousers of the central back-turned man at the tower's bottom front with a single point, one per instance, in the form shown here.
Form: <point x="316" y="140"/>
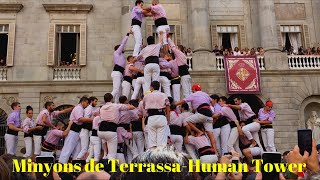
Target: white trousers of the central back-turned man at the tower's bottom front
<point x="156" y="133"/>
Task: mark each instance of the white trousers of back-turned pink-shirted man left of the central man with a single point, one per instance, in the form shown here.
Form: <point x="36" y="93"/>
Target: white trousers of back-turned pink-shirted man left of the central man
<point x="112" y="142"/>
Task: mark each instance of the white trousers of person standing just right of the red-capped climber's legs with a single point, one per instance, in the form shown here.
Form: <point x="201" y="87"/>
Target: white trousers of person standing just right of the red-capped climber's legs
<point x="221" y="136"/>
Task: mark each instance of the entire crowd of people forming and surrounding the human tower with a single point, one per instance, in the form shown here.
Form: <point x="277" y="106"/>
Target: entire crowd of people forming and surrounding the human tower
<point x="144" y="118"/>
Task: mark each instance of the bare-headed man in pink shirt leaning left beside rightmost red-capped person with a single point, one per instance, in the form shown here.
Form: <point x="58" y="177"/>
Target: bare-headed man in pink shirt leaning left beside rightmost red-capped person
<point x="246" y="114"/>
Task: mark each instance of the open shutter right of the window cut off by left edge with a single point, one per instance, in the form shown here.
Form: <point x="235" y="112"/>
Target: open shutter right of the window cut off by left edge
<point x="11" y="40"/>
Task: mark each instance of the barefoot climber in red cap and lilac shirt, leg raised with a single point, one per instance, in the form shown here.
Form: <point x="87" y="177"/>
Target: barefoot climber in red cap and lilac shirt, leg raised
<point x="201" y="103"/>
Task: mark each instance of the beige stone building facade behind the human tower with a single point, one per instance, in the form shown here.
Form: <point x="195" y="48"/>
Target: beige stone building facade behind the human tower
<point x="33" y="73"/>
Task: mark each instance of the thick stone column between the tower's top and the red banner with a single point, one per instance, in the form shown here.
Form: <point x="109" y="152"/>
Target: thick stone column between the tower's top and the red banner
<point x="202" y="59"/>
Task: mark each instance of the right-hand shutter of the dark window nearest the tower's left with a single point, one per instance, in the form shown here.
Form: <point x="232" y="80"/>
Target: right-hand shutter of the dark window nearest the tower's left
<point x="83" y="45"/>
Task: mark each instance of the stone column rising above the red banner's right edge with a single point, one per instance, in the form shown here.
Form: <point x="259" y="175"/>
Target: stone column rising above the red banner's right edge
<point x="274" y="59"/>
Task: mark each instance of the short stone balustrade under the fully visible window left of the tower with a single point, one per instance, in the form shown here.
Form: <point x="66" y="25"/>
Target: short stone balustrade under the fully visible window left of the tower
<point x="66" y="73"/>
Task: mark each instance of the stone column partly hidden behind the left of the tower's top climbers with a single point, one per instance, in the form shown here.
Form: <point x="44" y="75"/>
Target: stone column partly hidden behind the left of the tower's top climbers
<point x="126" y="8"/>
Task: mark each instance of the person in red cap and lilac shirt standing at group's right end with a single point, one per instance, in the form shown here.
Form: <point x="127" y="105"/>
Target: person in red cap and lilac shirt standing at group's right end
<point x="265" y="118"/>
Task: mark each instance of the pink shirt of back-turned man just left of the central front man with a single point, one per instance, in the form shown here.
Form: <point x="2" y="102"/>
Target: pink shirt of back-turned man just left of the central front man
<point x="111" y="112"/>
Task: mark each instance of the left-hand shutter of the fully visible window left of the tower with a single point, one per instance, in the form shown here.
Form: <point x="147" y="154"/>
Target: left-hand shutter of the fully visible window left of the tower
<point x="51" y="45"/>
